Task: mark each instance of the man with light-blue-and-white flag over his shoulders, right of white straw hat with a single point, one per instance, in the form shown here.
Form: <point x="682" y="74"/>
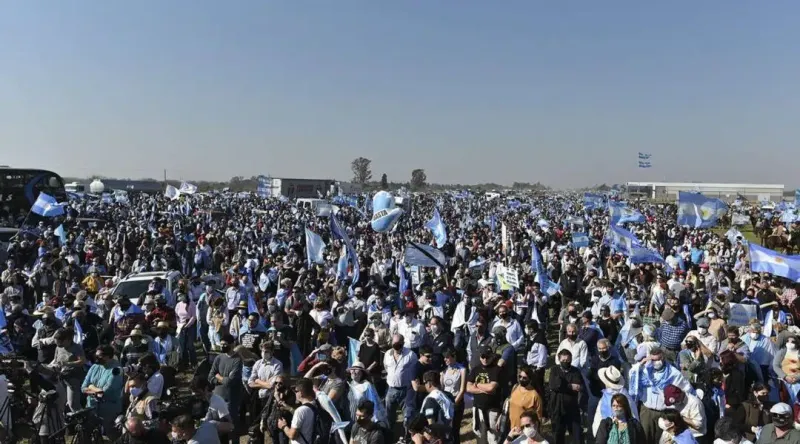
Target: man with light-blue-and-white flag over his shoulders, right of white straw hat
<point x="647" y="381"/>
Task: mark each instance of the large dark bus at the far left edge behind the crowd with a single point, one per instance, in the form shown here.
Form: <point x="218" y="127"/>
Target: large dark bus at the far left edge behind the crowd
<point x="19" y="188"/>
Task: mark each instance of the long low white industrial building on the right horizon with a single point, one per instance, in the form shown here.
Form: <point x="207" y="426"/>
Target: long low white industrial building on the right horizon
<point x="724" y="191"/>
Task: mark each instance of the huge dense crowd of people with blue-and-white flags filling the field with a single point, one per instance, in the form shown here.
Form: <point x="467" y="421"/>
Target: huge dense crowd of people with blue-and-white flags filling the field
<point x="258" y="339"/>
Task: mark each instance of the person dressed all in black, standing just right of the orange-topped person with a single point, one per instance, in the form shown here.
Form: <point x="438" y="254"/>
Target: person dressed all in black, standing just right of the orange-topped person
<point x="566" y="384"/>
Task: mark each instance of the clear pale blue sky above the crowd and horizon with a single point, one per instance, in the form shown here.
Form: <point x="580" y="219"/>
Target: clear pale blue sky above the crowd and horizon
<point x="562" y="92"/>
